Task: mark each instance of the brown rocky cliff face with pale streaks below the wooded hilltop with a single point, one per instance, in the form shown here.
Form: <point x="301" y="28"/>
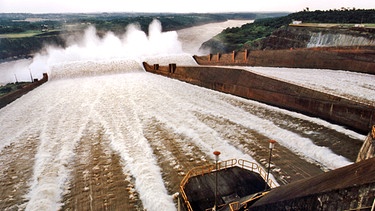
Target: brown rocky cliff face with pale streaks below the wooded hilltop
<point x="308" y="35"/>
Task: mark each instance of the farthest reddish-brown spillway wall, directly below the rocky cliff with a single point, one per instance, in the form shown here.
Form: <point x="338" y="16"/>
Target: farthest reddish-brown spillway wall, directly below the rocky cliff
<point x="358" y="59"/>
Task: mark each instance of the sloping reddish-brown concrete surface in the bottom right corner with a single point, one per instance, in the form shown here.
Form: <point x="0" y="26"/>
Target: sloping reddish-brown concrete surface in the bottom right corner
<point x="348" y="188"/>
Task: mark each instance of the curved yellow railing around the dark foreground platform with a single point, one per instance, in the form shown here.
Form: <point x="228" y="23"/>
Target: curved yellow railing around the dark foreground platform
<point x="201" y="170"/>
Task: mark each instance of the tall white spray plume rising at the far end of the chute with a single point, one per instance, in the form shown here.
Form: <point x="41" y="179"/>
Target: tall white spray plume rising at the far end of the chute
<point x="110" y="52"/>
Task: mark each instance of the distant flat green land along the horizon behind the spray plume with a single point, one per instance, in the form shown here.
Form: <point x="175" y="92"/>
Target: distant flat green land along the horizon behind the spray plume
<point x="24" y="34"/>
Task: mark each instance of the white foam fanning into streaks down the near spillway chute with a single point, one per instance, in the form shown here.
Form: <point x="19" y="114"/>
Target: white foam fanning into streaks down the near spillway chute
<point x="119" y="103"/>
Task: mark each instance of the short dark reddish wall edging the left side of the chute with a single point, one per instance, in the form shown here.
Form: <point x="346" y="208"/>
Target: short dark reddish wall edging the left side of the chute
<point x="8" y="98"/>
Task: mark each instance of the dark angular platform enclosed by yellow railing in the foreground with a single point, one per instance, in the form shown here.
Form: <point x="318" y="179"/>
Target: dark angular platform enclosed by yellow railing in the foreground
<point x="234" y="183"/>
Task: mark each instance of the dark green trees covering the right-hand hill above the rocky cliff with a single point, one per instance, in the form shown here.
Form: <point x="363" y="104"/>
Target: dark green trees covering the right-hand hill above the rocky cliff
<point x="249" y="35"/>
